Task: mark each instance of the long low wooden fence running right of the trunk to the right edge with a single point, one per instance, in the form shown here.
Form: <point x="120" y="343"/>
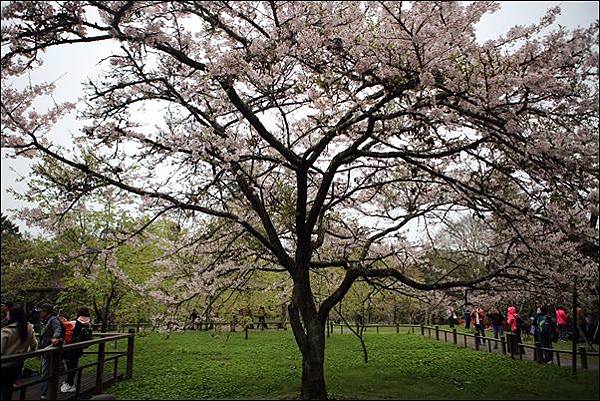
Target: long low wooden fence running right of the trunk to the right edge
<point x="507" y="343"/>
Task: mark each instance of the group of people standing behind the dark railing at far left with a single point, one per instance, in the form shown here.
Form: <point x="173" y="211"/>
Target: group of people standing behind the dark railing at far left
<point x="18" y="336"/>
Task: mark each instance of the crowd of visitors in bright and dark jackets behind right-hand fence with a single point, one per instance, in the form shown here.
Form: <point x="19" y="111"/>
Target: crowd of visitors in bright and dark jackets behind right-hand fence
<point x="546" y="326"/>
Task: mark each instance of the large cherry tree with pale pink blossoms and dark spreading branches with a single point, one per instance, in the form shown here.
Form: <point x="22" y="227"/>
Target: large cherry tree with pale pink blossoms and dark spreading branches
<point x="320" y="131"/>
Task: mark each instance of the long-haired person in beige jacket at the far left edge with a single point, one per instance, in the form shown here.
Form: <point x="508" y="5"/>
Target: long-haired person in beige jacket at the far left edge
<point x="17" y="337"/>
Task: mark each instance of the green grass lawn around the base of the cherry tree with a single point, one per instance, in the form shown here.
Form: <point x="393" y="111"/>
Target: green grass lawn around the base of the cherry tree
<point x="196" y="365"/>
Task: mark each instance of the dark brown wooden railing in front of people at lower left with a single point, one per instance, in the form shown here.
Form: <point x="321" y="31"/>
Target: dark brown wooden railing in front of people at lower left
<point x="55" y="371"/>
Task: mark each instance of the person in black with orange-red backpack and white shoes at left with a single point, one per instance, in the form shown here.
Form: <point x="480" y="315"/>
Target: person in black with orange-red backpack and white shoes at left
<point x="81" y="330"/>
